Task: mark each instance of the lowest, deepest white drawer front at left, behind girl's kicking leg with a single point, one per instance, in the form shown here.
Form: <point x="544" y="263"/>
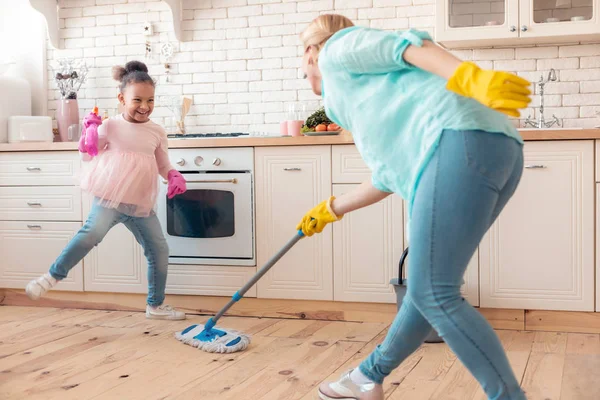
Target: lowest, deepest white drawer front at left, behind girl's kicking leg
<point x="28" y="250"/>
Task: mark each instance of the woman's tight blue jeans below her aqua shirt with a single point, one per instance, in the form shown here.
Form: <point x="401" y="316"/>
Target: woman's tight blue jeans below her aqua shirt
<point x="468" y="181"/>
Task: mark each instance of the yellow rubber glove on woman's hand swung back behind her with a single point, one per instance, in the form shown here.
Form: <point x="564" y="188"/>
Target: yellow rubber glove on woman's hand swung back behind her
<point x="501" y="91"/>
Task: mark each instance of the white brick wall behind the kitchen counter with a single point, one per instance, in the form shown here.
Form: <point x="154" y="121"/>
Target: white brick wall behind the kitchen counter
<point x="242" y="66"/>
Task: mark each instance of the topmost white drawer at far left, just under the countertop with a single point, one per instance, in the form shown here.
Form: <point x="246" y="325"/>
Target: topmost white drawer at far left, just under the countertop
<point x="40" y="169"/>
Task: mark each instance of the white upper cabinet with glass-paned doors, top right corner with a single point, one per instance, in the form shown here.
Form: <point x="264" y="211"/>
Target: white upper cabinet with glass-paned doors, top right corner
<point x="473" y="23"/>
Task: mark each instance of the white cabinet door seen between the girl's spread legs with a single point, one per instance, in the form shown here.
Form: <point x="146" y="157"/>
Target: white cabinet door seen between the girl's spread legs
<point x="117" y="264"/>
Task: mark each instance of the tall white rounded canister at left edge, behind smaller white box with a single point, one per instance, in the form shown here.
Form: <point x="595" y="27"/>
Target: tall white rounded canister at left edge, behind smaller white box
<point x="15" y="99"/>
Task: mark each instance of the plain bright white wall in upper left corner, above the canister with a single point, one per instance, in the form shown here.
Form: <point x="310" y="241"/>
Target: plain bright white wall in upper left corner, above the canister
<point x="22" y="38"/>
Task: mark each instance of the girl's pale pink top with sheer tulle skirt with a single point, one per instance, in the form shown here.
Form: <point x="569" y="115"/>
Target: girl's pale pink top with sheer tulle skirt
<point x="125" y="173"/>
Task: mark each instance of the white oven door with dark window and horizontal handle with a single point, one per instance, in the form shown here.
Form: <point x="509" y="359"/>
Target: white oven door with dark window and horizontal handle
<point x="211" y="221"/>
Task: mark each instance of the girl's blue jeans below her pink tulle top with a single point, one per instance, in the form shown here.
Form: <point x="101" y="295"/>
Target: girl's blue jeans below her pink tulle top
<point x="147" y="232"/>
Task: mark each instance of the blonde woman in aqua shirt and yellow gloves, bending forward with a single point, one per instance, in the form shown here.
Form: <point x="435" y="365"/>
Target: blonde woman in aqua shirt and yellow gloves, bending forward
<point x="442" y="142"/>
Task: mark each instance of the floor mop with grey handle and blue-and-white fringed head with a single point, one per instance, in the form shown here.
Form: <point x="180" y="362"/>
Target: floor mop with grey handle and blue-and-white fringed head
<point x="212" y="340"/>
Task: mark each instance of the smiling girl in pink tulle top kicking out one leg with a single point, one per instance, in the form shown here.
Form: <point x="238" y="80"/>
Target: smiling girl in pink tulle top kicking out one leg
<point x="124" y="182"/>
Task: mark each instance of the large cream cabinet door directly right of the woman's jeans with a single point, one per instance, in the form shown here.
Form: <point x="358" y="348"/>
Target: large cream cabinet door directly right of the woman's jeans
<point x="540" y="252"/>
